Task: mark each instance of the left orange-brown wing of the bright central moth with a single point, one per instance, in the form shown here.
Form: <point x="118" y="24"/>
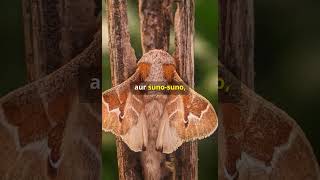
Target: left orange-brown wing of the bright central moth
<point x="122" y="114"/>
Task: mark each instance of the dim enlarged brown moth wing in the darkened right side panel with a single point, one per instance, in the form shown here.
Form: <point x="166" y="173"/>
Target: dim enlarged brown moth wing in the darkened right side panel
<point x="258" y="140"/>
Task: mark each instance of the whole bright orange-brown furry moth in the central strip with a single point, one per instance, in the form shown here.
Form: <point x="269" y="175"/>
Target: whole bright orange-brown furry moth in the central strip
<point x="156" y="123"/>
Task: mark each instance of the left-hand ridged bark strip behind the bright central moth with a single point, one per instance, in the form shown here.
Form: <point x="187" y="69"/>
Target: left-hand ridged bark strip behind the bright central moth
<point x="123" y="63"/>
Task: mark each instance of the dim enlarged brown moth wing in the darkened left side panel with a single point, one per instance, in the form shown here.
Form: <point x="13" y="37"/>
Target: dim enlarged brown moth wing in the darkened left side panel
<point x="42" y="131"/>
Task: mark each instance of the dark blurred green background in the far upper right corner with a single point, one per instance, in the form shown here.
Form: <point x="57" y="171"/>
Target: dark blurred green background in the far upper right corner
<point x="287" y="60"/>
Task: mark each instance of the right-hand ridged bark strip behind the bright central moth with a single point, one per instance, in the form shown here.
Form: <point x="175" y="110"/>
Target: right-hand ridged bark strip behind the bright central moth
<point x="187" y="154"/>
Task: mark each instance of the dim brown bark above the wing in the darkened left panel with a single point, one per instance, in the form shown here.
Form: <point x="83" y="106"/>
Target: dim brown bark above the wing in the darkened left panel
<point x="54" y="33"/>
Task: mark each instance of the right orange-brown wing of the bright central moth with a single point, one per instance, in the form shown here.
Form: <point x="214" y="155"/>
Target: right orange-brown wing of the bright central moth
<point x="187" y="117"/>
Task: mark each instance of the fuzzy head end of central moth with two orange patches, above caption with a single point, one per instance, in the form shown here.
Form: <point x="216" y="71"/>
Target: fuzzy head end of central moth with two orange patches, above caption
<point x="156" y="65"/>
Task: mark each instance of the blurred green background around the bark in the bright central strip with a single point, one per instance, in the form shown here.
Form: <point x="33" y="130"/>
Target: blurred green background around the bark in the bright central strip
<point x="206" y="78"/>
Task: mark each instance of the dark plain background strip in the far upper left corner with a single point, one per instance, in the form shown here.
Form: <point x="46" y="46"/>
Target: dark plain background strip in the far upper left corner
<point x="12" y="66"/>
